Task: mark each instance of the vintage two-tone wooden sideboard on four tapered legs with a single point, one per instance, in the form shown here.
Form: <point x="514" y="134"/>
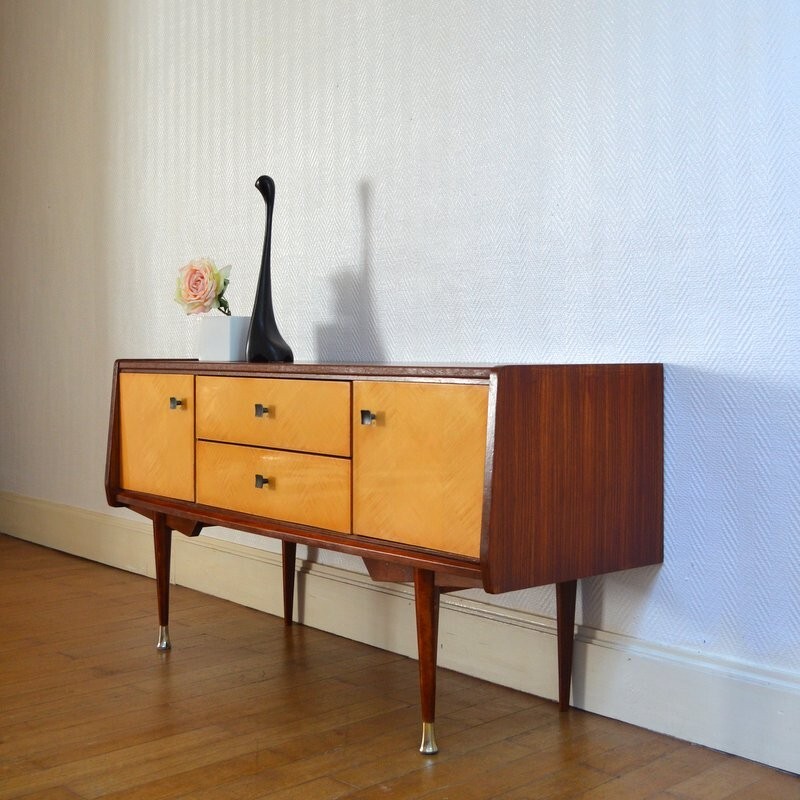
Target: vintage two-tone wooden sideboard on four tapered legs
<point x="450" y="477"/>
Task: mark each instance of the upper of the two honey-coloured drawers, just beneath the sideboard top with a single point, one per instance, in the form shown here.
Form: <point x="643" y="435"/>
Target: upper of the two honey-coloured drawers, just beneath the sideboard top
<point x="306" y="415"/>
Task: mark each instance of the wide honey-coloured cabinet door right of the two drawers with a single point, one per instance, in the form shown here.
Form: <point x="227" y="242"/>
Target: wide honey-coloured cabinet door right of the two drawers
<point x="418" y="465"/>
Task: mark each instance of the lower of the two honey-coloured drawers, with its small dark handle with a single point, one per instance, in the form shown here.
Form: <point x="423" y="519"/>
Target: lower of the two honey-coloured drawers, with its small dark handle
<point x="296" y="487"/>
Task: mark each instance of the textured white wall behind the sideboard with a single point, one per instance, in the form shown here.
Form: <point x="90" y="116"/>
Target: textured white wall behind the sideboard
<point x="456" y="181"/>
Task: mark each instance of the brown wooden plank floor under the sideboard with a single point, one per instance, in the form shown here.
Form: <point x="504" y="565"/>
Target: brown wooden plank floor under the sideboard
<point x="244" y="708"/>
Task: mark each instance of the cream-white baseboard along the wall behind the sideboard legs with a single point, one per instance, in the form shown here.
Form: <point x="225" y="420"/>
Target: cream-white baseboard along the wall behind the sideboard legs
<point x="747" y="711"/>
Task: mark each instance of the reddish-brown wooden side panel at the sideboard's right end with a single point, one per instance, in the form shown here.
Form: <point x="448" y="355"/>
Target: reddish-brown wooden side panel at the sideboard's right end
<point x="589" y="498"/>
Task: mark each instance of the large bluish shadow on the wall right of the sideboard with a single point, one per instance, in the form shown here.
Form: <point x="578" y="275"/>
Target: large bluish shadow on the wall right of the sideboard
<point x="731" y="510"/>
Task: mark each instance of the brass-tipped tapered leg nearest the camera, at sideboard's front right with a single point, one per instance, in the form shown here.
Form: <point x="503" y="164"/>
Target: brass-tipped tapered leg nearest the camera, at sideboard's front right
<point x="426" y="597"/>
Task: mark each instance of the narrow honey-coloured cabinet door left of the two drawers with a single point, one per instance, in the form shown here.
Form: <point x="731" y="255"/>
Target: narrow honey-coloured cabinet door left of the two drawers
<point x="157" y="434"/>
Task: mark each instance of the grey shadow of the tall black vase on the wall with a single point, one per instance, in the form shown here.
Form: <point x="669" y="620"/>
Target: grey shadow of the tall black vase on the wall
<point x="354" y="334"/>
